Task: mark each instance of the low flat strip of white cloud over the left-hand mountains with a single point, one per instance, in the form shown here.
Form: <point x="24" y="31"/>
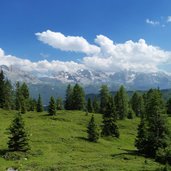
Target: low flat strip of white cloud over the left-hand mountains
<point x="42" y="67"/>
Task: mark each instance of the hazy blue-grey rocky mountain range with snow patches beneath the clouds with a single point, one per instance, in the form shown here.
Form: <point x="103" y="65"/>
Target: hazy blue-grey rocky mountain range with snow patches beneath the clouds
<point x="56" y="83"/>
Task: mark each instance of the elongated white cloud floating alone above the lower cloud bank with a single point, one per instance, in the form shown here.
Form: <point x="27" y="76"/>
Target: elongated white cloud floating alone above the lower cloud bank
<point x="67" y="43"/>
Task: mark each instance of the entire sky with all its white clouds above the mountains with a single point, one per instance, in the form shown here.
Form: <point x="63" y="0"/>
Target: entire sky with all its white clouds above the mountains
<point x="104" y="35"/>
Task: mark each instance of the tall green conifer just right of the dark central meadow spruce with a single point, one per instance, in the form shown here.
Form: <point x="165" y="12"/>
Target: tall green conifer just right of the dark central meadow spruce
<point x="121" y="102"/>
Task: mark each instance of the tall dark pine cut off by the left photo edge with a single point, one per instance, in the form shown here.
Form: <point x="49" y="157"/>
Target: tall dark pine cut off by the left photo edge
<point x="2" y="89"/>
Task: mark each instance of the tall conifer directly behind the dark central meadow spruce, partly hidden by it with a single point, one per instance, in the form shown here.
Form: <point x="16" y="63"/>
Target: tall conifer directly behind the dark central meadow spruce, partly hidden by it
<point x="104" y="97"/>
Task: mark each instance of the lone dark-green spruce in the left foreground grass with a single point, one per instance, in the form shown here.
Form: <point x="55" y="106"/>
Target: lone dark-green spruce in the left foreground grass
<point x="18" y="139"/>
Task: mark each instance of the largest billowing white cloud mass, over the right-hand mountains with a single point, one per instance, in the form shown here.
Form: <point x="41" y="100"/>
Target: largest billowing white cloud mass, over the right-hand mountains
<point x="136" y="56"/>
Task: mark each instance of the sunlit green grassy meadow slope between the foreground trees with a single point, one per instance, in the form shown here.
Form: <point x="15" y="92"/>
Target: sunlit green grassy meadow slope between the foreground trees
<point x="59" y="144"/>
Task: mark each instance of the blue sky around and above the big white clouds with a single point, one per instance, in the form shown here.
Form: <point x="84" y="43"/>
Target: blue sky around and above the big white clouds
<point x="118" y="20"/>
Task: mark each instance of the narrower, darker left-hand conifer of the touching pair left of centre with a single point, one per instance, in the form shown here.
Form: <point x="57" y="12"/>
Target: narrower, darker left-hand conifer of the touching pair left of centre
<point x="68" y="98"/>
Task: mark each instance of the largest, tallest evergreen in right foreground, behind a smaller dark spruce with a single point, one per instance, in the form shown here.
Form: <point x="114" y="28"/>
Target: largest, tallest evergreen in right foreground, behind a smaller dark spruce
<point x="158" y="135"/>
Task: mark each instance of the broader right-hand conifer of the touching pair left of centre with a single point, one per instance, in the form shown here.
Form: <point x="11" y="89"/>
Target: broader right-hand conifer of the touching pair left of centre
<point x="78" y="98"/>
